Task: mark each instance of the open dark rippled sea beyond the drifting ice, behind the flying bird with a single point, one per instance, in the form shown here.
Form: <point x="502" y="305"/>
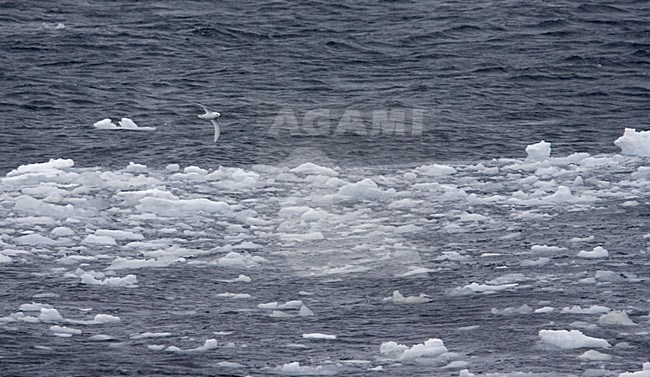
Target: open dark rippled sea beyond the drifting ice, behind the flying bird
<point x="492" y="77"/>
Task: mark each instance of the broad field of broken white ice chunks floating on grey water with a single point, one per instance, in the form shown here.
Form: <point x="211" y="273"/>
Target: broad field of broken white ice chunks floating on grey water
<point x="540" y="260"/>
